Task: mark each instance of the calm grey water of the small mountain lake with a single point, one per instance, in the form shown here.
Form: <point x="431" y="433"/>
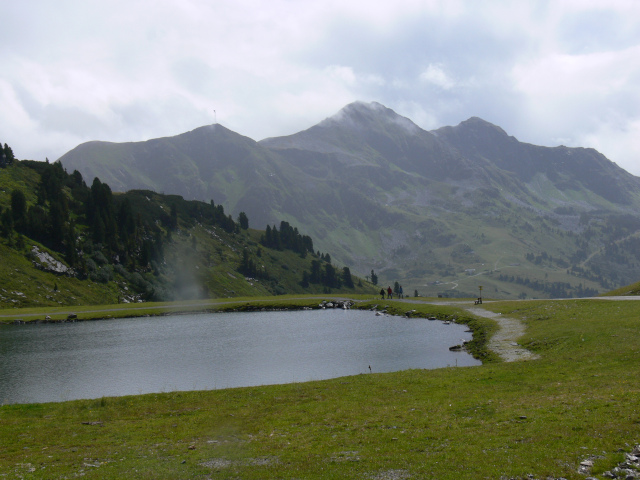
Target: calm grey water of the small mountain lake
<point x="56" y="362"/>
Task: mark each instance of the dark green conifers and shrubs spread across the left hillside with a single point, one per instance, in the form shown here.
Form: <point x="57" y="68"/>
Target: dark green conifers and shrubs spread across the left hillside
<point x="101" y="234"/>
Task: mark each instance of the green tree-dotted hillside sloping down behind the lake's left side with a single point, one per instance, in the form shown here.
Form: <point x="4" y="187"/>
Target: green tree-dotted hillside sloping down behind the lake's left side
<point x="64" y="243"/>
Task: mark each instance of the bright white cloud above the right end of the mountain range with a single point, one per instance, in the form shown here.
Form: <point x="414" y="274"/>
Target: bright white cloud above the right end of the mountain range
<point x="588" y="100"/>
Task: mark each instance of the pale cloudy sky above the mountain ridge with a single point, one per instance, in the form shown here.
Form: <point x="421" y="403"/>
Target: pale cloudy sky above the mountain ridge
<point x="561" y="72"/>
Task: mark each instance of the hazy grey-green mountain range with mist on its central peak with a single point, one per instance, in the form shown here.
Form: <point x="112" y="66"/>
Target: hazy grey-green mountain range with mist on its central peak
<point x="444" y="212"/>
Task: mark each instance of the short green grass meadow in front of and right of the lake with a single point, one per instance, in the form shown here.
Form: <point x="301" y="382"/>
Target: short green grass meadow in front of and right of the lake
<point x="579" y="401"/>
